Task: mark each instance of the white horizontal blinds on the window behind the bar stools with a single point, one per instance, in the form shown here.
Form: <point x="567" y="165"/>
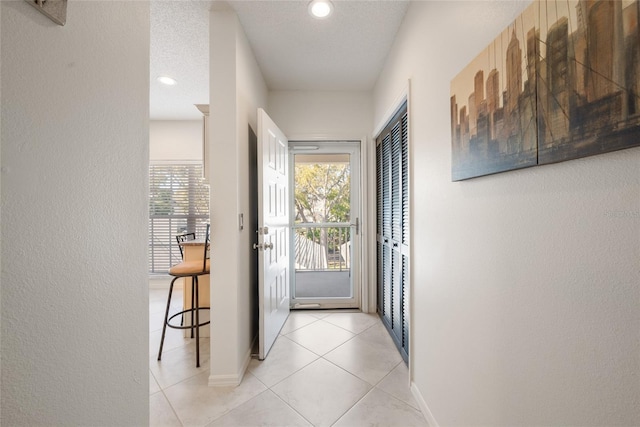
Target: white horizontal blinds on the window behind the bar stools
<point x="178" y="204"/>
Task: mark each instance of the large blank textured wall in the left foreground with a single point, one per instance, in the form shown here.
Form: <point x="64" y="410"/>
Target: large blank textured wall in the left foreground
<point x="75" y="106"/>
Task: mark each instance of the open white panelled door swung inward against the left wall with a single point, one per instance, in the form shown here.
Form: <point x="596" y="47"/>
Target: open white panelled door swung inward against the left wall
<point x="273" y="231"/>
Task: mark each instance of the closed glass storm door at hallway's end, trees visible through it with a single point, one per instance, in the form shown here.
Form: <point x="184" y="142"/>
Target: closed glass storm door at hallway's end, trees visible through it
<point x="325" y="224"/>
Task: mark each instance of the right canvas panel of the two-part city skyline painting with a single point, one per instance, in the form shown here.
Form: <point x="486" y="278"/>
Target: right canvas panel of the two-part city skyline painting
<point x="588" y="79"/>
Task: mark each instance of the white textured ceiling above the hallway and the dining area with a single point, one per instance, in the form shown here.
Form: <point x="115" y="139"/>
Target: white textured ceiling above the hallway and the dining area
<point x="294" y="51"/>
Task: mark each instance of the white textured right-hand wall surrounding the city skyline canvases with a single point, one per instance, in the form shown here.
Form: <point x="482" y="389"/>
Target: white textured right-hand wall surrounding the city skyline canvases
<point x="525" y="284"/>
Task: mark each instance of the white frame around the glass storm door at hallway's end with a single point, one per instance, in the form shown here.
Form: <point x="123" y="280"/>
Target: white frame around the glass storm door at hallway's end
<point x="361" y="273"/>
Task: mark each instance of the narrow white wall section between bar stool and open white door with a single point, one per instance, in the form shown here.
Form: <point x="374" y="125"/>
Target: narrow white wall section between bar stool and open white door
<point x="237" y="90"/>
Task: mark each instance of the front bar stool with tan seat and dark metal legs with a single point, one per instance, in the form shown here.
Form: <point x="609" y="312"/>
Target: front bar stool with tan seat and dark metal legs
<point x="192" y="269"/>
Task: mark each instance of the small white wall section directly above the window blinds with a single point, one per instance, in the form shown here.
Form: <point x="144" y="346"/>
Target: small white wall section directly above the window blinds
<point x="175" y="140"/>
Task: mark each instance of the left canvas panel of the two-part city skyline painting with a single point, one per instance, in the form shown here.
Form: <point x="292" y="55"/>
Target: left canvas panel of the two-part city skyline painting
<point x="493" y="104"/>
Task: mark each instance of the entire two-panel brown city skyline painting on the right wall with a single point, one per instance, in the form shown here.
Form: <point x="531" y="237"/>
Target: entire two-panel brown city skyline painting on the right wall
<point x="559" y="83"/>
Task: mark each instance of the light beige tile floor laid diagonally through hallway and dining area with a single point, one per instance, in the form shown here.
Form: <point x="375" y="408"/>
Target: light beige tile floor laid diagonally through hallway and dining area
<point x="327" y="368"/>
